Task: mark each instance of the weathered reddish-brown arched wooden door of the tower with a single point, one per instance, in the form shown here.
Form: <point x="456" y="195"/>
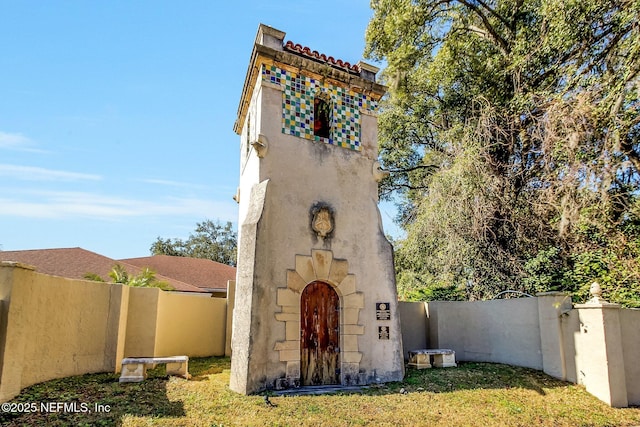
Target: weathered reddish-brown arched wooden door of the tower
<point x="319" y="335"/>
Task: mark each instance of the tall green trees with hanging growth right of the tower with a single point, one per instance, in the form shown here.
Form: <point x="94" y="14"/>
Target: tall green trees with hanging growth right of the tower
<point x="512" y="136"/>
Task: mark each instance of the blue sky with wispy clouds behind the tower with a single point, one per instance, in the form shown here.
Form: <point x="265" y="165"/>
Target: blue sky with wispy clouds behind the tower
<point x="116" y="117"/>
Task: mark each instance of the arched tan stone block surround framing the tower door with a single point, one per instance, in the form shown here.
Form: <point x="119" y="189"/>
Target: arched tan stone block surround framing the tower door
<point x="321" y="266"/>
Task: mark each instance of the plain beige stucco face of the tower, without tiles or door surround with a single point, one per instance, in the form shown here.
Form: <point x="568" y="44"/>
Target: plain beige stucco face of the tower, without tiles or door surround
<point x="299" y="174"/>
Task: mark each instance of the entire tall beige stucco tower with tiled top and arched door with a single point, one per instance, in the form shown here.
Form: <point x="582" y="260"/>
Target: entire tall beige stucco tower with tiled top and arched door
<point x="316" y="300"/>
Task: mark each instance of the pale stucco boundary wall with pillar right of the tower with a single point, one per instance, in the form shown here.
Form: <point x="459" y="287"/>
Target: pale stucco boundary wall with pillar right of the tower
<point x="594" y="344"/>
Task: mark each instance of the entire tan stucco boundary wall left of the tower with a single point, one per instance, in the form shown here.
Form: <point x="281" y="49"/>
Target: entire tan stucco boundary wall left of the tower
<point x="53" y="327"/>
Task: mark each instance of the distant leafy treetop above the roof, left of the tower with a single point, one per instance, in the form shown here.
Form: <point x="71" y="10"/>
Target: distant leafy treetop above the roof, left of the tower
<point x="210" y="240"/>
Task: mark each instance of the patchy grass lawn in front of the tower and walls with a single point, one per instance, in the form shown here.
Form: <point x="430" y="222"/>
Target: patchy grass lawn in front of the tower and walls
<point x="474" y="394"/>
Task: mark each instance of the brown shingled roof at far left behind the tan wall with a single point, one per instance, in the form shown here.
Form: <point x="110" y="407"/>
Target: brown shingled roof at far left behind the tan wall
<point x="75" y="263"/>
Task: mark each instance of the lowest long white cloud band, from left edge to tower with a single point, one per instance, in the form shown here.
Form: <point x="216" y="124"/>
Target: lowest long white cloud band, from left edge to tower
<point x="70" y="204"/>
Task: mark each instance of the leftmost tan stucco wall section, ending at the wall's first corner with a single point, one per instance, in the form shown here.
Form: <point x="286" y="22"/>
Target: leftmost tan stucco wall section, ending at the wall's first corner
<point x="54" y="327"/>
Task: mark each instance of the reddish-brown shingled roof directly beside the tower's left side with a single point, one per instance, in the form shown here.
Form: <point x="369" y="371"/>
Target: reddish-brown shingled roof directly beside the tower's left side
<point x="204" y="273"/>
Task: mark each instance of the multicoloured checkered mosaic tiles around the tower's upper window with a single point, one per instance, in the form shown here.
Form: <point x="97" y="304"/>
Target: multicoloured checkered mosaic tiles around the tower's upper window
<point x="297" y="107"/>
